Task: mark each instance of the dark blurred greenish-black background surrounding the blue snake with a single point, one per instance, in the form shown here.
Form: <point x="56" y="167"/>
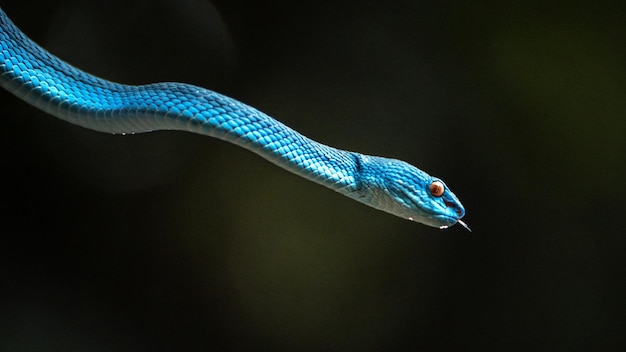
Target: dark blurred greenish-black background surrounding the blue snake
<point x="170" y="241"/>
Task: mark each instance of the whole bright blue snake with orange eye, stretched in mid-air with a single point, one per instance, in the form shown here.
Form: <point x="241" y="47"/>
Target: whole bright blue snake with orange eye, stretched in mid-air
<point x="52" y="85"/>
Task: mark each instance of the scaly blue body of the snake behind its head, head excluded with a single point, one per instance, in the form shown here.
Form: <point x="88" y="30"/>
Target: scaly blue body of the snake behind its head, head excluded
<point x="56" y="87"/>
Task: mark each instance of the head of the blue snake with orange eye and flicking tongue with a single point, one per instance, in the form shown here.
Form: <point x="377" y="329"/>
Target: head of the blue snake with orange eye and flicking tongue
<point x="404" y="190"/>
